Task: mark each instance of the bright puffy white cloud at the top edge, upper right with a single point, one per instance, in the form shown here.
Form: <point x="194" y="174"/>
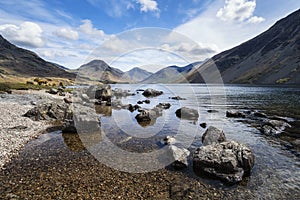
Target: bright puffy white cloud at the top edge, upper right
<point x="239" y="10"/>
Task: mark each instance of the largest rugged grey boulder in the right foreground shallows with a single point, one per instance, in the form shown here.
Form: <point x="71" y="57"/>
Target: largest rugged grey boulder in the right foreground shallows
<point x="227" y="161"/>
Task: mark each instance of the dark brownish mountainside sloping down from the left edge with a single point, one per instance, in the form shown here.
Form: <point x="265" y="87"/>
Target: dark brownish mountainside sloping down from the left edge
<point x="24" y="63"/>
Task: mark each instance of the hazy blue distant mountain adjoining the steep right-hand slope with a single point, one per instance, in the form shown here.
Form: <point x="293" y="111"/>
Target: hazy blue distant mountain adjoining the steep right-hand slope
<point x="170" y="74"/>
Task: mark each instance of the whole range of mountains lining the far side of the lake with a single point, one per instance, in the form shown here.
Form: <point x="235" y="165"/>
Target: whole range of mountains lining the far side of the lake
<point x="269" y="58"/>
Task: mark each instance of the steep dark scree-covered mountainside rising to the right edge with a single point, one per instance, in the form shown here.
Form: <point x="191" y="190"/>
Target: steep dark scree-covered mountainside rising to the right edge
<point x="271" y="57"/>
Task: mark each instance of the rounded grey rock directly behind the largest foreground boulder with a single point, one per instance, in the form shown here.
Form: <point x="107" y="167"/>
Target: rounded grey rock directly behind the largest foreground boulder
<point x="213" y="135"/>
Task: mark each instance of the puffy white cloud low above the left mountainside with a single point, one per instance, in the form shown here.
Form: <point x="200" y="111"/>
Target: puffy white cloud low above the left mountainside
<point x="26" y="34"/>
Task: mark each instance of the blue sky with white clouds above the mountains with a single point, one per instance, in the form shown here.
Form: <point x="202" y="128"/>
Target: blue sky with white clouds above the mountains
<point x="150" y="34"/>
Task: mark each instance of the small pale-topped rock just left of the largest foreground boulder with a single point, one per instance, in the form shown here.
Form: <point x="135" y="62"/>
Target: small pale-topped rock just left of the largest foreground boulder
<point x="179" y="155"/>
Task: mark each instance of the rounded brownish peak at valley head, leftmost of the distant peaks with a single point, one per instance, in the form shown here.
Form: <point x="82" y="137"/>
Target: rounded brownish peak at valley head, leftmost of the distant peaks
<point x="98" y="70"/>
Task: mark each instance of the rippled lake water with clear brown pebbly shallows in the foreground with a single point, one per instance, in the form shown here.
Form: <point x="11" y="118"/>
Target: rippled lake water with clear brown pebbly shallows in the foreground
<point x="276" y="173"/>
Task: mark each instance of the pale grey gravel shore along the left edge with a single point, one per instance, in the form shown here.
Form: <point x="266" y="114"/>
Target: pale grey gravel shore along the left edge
<point x="16" y="130"/>
